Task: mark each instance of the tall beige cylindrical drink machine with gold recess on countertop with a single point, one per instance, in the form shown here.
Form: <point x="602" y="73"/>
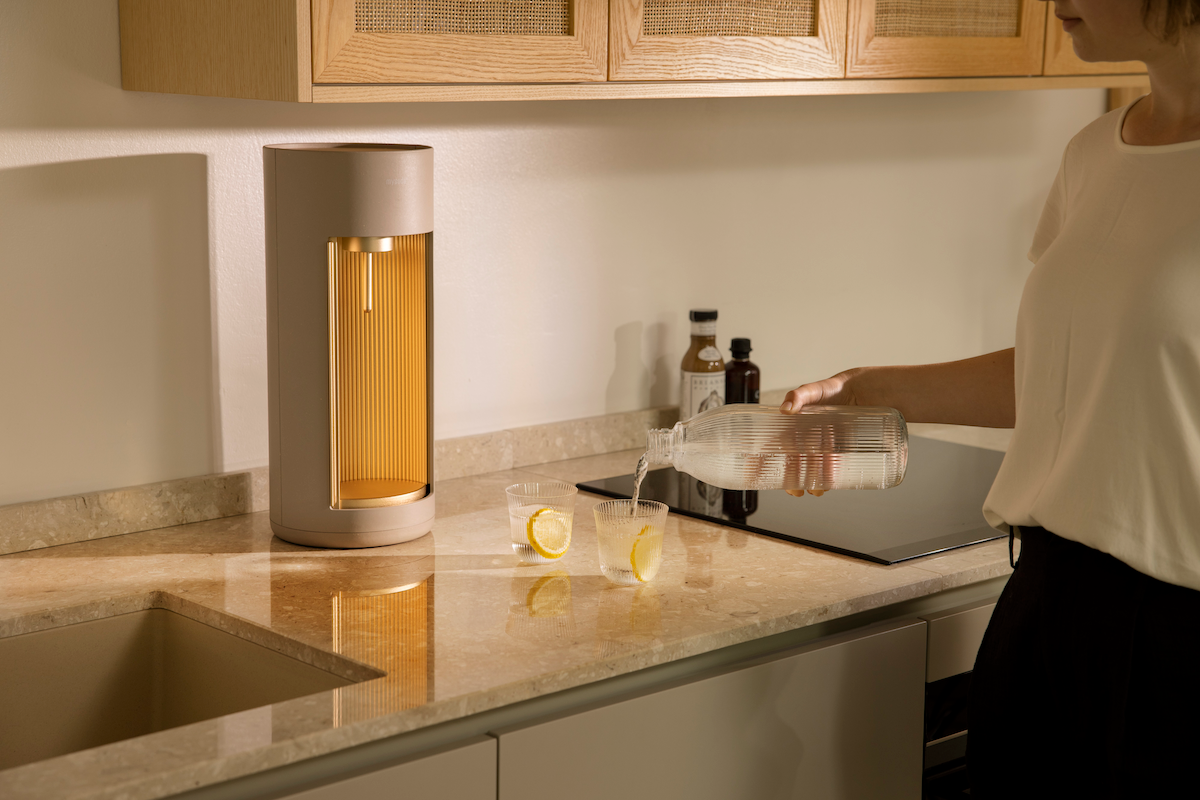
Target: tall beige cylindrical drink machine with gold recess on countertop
<point x="350" y="320"/>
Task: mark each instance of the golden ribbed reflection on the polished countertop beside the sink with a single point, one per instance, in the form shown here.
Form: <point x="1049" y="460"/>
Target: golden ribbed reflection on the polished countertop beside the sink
<point x="392" y="631"/>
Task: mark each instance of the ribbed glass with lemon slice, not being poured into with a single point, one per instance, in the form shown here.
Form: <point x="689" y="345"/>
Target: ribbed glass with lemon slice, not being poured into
<point x="541" y="518"/>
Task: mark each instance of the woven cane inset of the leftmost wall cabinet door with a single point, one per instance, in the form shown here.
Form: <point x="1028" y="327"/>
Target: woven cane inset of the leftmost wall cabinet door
<point x="475" y="17"/>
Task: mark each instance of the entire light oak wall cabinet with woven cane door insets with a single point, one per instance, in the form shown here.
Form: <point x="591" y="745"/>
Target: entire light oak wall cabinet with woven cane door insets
<point x="387" y="51"/>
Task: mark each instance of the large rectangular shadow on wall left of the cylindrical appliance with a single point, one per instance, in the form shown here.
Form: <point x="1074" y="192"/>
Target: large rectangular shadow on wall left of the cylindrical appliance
<point x="105" y="326"/>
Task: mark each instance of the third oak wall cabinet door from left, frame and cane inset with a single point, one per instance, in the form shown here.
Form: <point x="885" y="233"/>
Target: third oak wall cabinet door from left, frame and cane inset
<point x="945" y="39"/>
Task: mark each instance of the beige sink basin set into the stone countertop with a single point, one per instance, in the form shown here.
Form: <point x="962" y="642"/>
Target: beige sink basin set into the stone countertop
<point x="95" y="683"/>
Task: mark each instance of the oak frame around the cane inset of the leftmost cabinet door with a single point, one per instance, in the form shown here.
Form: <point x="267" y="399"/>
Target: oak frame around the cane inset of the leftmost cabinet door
<point x="343" y="56"/>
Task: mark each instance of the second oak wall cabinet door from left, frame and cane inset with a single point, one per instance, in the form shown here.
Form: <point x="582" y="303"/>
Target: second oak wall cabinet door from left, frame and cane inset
<point x="721" y="40"/>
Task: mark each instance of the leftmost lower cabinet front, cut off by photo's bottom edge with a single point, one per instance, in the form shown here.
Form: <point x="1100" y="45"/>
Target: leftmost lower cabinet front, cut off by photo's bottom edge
<point x="466" y="772"/>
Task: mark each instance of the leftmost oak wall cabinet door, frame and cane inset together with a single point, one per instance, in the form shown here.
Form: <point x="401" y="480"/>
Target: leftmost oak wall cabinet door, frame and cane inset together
<point x="455" y="41"/>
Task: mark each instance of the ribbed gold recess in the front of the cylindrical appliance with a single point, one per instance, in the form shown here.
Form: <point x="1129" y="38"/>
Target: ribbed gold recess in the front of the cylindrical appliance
<point x="379" y="374"/>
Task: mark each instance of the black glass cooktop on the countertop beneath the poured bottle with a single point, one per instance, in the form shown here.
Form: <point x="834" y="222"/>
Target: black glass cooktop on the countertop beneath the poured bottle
<point x="938" y="507"/>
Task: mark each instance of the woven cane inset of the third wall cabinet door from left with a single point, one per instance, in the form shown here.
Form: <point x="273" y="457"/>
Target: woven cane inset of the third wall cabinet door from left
<point x="992" y="19"/>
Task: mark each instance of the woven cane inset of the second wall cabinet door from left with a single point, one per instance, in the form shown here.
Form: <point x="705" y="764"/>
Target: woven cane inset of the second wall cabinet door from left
<point x="730" y="19"/>
